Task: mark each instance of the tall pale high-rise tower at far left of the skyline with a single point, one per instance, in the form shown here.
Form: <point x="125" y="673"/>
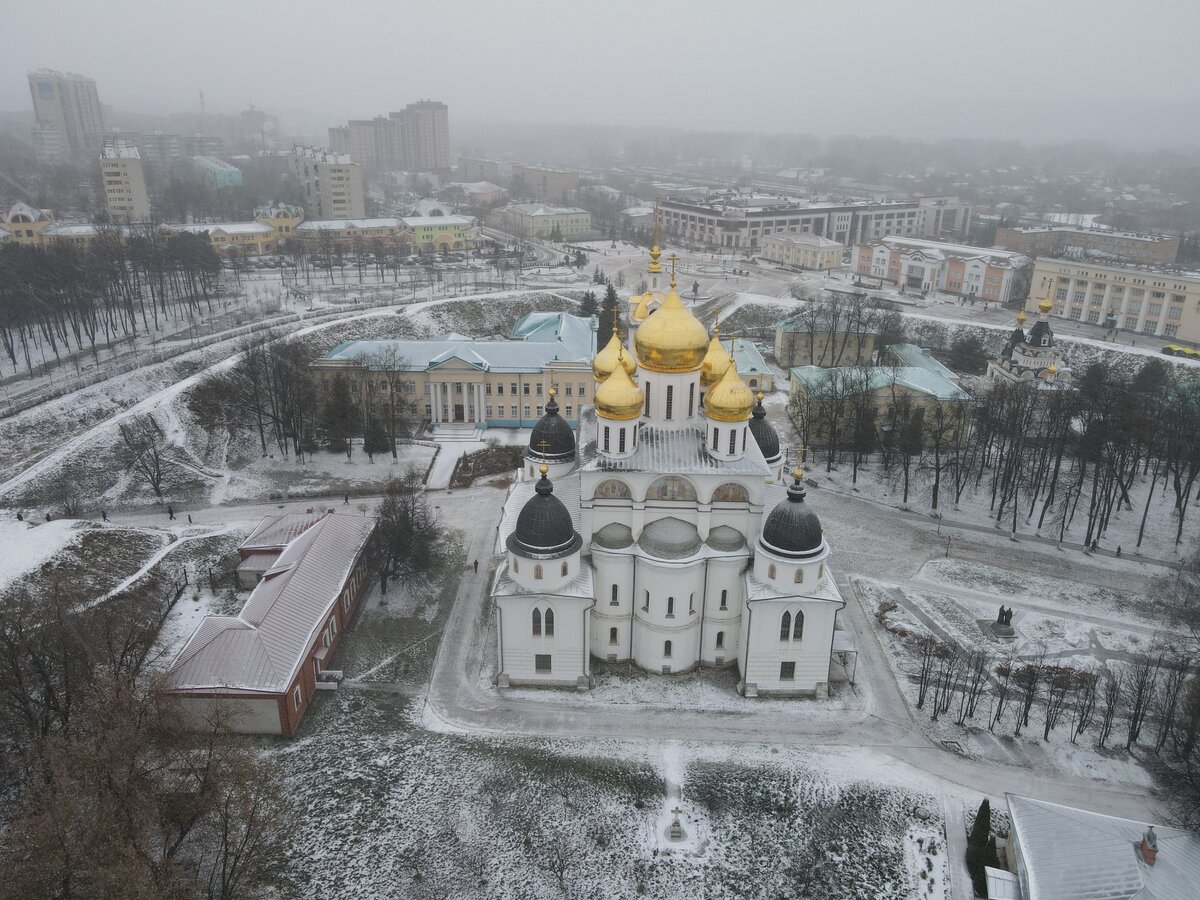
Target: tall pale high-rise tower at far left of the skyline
<point x="70" y="119"/>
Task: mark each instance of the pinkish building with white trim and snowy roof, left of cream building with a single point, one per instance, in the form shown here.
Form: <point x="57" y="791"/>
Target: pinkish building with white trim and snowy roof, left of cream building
<point x="959" y="269"/>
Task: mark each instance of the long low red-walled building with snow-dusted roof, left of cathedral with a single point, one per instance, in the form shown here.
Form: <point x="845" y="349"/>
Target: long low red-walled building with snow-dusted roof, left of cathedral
<point x="263" y="665"/>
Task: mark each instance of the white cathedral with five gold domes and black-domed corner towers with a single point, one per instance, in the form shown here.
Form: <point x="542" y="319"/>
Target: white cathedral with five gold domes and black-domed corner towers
<point x="664" y="533"/>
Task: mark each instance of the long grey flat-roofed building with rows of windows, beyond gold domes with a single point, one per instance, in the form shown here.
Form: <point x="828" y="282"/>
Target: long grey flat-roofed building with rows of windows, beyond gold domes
<point x="743" y="221"/>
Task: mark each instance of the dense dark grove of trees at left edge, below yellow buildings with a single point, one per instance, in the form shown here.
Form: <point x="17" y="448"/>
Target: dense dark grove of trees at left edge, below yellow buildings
<point x="70" y="298"/>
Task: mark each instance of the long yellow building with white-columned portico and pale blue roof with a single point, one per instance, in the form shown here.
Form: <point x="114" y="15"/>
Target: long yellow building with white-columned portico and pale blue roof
<point x="483" y="385"/>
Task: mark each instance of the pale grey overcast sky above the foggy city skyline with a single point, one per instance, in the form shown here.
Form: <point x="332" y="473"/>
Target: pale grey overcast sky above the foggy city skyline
<point x="1037" y="70"/>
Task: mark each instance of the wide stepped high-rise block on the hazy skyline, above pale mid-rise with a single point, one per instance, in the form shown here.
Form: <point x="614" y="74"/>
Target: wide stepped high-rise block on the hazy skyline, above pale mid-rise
<point x="417" y="139"/>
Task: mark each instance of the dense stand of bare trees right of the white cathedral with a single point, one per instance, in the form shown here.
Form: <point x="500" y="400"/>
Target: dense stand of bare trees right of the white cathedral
<point x="1045" y="457"/>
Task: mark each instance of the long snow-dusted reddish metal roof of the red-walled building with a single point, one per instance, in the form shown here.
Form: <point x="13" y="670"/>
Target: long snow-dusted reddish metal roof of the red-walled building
<point x="261" y="649"/>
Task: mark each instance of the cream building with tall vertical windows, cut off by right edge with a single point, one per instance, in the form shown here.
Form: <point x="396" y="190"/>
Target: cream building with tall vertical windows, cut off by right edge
<point x="1154" y="301"/>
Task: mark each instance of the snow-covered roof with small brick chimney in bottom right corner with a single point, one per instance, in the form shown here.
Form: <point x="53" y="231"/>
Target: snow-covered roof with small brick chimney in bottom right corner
<point x="1075" y="855"/>
